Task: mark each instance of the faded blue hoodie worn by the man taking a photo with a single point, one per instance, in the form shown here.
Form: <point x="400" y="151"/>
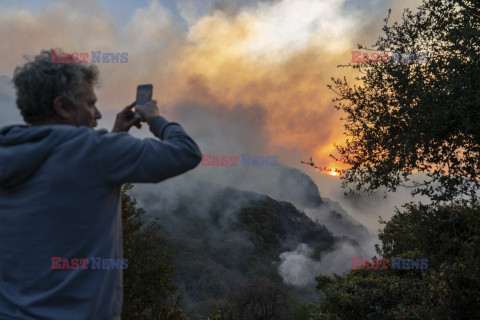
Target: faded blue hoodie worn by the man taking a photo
<point x="60" y="197"/>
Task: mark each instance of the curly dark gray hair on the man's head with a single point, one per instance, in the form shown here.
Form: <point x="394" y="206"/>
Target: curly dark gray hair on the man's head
<point x="40" y="81"/>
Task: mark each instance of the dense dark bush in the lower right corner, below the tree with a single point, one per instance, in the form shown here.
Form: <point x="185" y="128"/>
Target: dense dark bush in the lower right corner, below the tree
<point x="448" y="289"/>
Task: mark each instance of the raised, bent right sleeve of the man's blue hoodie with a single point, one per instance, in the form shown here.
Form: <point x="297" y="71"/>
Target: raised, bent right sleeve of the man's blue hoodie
<point x="122" y="158"/>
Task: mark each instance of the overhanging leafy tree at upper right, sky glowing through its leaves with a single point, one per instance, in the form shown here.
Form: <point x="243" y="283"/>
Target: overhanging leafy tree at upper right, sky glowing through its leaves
<point x="407" y="117"/>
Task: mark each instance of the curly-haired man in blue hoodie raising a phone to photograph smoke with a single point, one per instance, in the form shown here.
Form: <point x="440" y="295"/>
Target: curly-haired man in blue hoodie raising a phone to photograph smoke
<point x="60" y="189"/>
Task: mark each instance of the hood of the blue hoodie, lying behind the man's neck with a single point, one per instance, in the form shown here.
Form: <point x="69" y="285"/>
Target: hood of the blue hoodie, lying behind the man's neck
<point x="23" y="149"/>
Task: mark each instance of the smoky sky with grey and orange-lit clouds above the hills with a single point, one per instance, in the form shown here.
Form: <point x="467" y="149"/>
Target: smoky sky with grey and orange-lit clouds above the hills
<point x="241" y="76"/>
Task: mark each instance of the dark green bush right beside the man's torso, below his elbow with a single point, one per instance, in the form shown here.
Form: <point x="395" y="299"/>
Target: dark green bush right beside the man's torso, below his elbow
<point x="148" y="289"/>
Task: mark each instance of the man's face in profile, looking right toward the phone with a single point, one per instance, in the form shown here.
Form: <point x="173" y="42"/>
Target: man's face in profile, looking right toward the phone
<point x="86" y="113"/>
